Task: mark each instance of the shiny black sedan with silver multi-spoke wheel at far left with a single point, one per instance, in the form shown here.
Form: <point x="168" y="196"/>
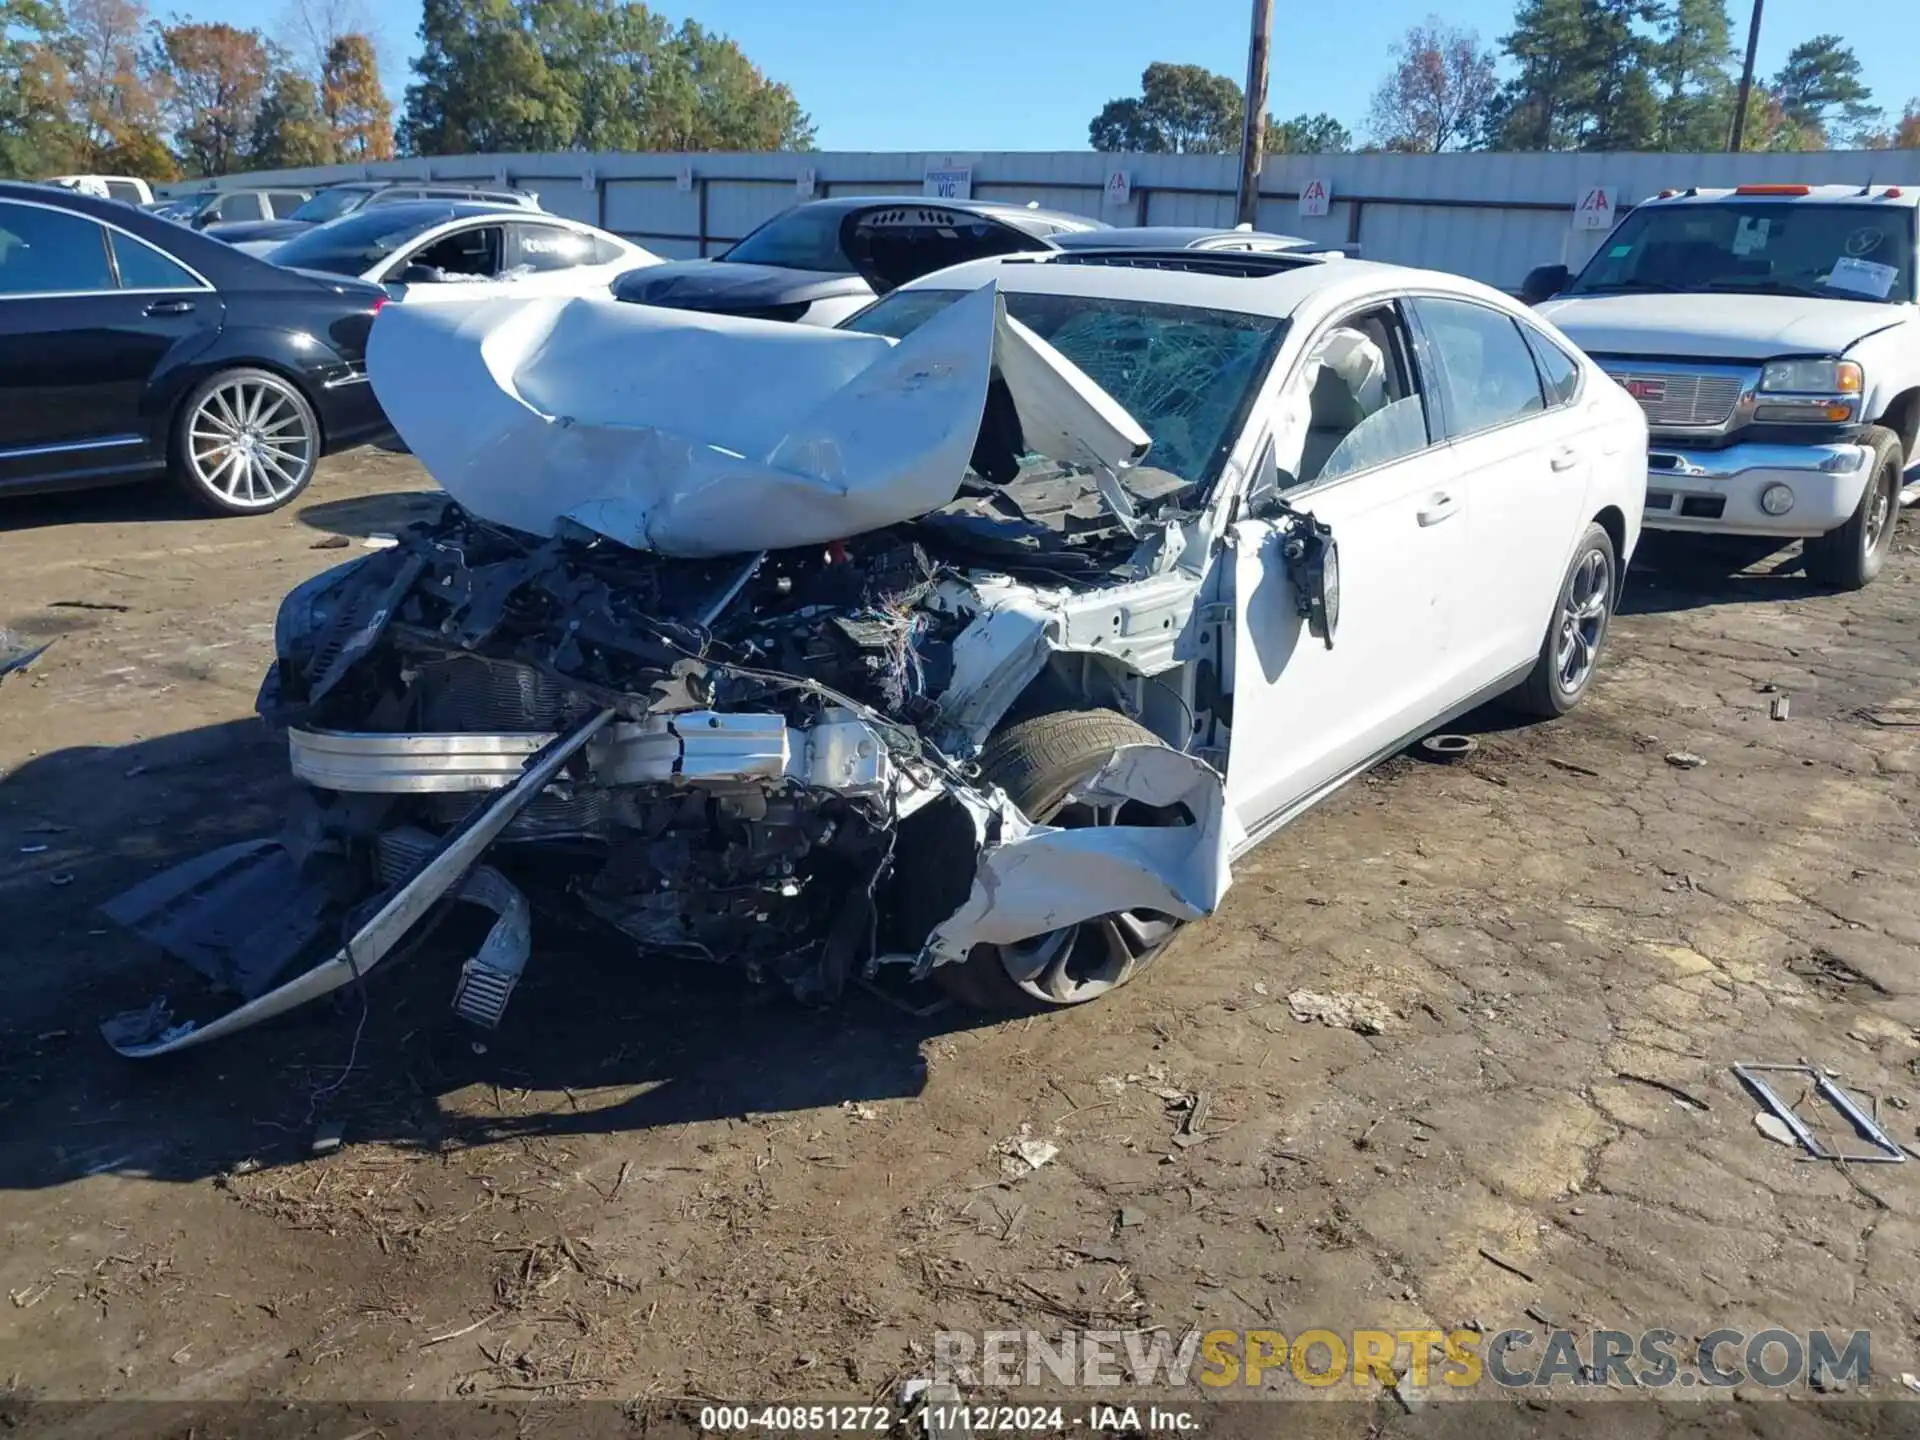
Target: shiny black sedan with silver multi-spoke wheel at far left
<point x="133" y="347"/>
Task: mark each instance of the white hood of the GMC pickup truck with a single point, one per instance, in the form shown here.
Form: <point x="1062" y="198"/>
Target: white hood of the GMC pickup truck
<point x="1717" y="327"/>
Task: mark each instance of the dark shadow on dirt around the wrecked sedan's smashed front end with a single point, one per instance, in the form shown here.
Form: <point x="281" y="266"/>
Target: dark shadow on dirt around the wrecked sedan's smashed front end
<point x="598" y="1040"/>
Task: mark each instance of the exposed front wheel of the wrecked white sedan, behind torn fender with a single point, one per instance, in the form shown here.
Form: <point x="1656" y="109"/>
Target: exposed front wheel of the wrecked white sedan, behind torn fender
<point x="1040" y="763"/>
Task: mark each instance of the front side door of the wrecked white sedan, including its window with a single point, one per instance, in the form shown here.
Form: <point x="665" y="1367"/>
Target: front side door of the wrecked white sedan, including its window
<point x="1370" y="464"/>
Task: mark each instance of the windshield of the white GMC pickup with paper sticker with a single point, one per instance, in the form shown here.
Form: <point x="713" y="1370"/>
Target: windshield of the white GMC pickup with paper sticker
<point x="1760" y="249"/>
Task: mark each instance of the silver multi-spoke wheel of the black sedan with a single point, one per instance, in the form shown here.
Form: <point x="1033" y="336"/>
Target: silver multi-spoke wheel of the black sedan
<point x="247" y="443"/>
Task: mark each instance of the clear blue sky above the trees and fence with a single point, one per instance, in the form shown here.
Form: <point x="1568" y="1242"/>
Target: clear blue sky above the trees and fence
<point x="1030" y="74"/>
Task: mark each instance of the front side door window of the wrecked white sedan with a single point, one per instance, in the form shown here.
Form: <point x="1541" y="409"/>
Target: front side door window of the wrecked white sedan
<point x="1355" y="404"/>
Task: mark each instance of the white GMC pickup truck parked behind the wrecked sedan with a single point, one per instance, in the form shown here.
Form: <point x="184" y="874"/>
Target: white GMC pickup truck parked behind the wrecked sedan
<point x="1773" y="337"/>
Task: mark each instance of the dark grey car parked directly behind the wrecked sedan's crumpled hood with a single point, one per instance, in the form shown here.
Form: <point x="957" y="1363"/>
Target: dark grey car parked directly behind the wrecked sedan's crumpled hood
<point x="827" y="260"/>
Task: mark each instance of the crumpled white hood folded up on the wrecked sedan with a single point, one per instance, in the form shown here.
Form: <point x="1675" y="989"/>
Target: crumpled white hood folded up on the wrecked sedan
<point x="704" y="435"/>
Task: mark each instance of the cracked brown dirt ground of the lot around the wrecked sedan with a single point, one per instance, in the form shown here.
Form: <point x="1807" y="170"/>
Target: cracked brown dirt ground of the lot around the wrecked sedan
<point x="658" y="1182"/>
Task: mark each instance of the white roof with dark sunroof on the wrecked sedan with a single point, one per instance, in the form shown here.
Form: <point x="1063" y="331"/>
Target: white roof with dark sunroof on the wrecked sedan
<point x="1274" y="285"/>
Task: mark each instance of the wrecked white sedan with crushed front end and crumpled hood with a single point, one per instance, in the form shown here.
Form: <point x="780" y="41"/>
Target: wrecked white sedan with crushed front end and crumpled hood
<point x="974" y="638"/>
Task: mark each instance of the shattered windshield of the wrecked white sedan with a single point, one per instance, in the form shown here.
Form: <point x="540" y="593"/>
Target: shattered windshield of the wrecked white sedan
<point x="1186" y="373"/>
